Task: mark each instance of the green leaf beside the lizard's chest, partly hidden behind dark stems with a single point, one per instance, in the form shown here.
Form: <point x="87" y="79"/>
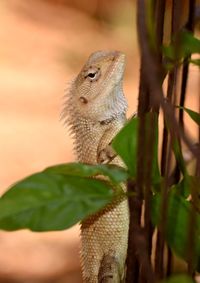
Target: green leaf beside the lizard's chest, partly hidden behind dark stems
<point x="126" y="142"/>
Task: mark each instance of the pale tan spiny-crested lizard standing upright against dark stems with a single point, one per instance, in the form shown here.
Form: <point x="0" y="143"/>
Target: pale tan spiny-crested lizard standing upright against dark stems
<point x="95" y="111"/>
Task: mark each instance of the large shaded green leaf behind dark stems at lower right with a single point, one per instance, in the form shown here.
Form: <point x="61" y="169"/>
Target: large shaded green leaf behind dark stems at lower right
<point x="176" y="227"/>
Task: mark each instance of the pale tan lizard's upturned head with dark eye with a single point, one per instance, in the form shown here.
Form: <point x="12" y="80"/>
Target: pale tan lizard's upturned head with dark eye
<point x="97" y="90"/>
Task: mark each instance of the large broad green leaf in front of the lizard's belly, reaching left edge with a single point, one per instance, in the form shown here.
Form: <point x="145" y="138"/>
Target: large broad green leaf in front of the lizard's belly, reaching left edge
<point x="48" y="201"/>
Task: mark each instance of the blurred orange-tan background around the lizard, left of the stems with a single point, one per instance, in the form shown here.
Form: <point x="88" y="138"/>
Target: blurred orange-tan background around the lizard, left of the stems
<point x="43" y="46"/>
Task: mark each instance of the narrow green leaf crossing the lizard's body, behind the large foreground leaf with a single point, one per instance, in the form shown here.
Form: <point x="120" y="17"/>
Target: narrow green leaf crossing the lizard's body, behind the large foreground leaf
<point x="115" y="173"/>
